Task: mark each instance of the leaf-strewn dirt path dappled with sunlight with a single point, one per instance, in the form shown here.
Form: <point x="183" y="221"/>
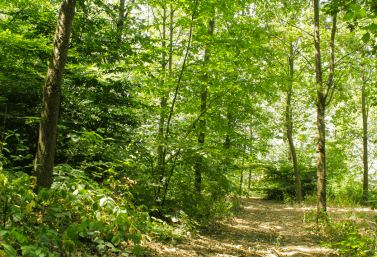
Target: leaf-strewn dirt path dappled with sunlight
<point x="261" y="228"/>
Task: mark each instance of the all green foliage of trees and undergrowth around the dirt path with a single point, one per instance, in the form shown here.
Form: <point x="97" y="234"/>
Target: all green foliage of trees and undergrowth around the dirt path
<point x="131" y="105"/>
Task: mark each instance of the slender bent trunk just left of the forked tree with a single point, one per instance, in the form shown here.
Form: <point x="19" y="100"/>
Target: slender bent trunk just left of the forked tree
<point x="289" y="125"/>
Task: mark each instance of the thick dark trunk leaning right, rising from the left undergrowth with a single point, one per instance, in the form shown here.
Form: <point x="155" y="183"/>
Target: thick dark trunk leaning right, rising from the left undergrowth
<point x="44" y="160"/>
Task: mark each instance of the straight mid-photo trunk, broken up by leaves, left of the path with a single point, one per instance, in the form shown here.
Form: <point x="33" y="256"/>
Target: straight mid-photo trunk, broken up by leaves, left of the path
<point x="203" y="107"/>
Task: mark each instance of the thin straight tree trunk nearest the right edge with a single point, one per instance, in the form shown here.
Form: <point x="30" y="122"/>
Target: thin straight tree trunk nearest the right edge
<point x="365" y="141"/>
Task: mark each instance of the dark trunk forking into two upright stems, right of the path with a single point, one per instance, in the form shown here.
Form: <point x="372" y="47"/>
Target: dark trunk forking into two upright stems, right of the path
<point x="322" y="93"/>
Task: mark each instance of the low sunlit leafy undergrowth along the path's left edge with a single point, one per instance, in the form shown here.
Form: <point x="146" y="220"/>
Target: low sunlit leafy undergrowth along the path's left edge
<point x="79" y="215"/>
